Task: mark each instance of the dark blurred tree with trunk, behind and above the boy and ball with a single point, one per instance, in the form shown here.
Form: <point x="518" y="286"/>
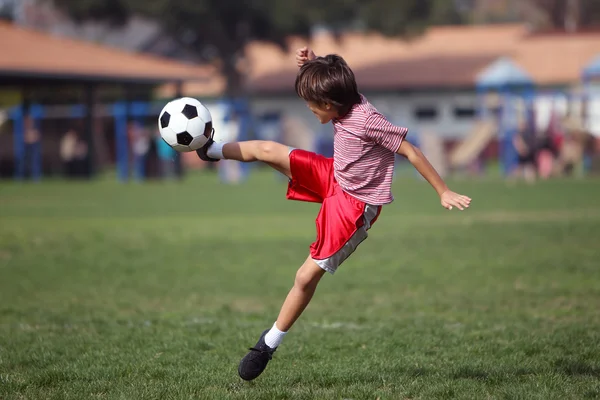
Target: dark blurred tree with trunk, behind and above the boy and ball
<point x="219" y="30"/>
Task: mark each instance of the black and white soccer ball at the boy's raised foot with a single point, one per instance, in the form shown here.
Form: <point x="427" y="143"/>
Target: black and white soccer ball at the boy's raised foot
<point x="185" y="124"/>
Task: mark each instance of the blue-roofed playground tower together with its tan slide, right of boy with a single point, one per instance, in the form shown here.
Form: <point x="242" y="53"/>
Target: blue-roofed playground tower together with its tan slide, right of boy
<point x="514" y="89"/>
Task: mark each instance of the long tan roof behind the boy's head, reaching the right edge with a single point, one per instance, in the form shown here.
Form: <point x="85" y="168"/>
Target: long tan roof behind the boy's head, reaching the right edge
<point x="443" y="57"/>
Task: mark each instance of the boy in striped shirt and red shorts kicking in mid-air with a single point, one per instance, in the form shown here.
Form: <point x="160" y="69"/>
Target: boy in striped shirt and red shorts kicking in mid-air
<point x="352" y="186"/>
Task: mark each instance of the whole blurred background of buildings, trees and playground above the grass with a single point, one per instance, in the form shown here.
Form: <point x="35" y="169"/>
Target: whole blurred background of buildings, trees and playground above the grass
<point x="505" y="88"/>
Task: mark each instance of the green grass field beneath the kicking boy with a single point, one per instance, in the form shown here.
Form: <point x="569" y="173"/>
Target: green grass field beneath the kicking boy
<point x="155" y="291"/>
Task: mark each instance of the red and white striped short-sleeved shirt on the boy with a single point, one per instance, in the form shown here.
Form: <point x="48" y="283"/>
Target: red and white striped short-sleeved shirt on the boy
<point x="364" y="148"/>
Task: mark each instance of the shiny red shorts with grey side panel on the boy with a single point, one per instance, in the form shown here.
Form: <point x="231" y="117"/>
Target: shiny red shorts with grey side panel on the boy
<point x="343" y="221"/>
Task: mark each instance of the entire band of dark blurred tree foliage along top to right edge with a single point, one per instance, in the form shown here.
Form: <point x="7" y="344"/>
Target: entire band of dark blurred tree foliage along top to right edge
<point x="219" y="30"/>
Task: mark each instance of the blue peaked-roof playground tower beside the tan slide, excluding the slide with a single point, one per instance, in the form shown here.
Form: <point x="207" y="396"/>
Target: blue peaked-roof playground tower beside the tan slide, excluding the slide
<point x="516" y="91"/>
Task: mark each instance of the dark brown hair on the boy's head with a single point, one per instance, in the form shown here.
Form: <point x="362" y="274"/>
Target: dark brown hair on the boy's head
<point x="328" y="80"/>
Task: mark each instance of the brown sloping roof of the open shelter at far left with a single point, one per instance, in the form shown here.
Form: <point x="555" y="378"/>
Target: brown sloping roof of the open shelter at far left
<point x="34" y="55"/>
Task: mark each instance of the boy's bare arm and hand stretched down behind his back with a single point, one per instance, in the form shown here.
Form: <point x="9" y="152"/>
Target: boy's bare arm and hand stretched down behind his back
<point x="448" y="198"/>
